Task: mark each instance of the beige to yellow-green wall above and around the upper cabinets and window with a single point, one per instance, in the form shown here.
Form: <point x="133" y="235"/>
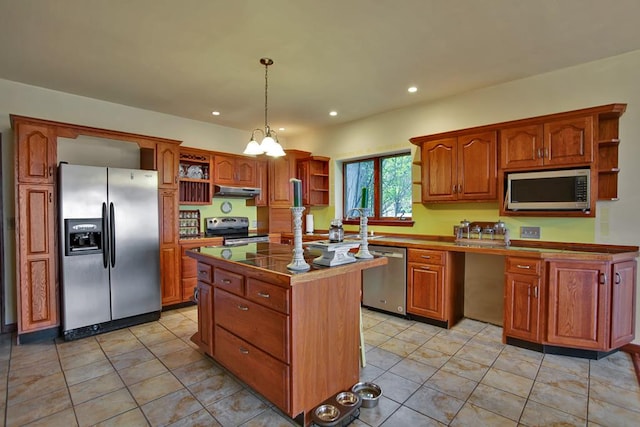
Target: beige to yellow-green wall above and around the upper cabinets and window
<point x="607" y="81"/>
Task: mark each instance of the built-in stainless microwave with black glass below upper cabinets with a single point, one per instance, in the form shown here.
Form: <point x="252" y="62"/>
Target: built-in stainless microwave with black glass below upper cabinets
<point x="568" y="189"/>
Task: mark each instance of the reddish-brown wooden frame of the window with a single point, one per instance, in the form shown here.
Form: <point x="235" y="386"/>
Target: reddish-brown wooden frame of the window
<point x="375" y="219"/>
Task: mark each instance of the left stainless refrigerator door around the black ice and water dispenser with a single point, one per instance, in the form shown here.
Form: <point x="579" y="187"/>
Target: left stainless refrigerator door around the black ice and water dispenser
<point x="84" y="278"/>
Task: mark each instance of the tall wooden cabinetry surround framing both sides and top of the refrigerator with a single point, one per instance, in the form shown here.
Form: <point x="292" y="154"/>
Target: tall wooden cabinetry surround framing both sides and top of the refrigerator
<point x="36" y="213"/>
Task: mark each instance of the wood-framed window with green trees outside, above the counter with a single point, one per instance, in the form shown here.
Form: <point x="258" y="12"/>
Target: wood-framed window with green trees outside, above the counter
<point x="388" y="183"/>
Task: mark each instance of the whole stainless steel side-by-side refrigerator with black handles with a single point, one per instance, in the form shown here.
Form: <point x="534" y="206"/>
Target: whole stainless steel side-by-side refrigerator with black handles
<point x="109" y="248"/>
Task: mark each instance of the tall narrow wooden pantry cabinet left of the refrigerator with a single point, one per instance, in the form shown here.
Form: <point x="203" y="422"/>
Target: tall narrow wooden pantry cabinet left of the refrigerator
<point x="36" y="258"/>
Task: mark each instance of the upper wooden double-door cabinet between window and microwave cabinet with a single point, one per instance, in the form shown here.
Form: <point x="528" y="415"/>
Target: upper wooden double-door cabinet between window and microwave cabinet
<point x="461" y="168"/>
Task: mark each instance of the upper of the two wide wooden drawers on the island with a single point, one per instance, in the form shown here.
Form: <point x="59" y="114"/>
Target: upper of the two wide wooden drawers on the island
<point x="261" y="326"/>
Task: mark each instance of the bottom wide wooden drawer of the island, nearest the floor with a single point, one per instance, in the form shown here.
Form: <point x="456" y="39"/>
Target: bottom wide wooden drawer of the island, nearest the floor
<point x="268" y="376"/>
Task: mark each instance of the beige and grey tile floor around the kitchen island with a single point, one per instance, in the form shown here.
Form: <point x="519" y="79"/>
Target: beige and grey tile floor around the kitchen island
<point x="151" y="375"/>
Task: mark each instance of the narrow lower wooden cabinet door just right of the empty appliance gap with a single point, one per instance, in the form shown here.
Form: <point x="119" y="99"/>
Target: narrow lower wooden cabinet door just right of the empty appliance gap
<point x="522" y="307"/>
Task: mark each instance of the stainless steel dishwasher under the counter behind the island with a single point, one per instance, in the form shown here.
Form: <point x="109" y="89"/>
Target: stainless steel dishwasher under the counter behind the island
<point x="385" y="287"/>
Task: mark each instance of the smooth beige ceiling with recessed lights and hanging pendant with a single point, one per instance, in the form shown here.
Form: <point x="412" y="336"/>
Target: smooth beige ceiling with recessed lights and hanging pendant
<point x="357" y="57"/>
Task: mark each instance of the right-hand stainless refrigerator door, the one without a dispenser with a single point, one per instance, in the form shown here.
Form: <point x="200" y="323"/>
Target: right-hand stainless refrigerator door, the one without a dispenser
<point x="133" y="222"/>
